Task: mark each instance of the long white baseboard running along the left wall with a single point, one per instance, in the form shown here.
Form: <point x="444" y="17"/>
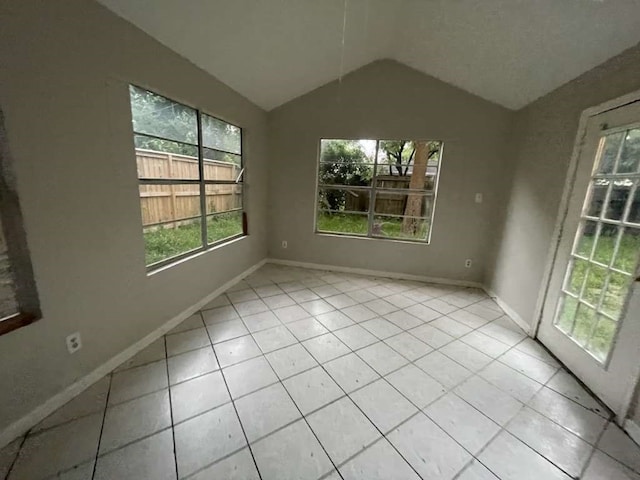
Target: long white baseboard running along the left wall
<point x="24" y="424"/>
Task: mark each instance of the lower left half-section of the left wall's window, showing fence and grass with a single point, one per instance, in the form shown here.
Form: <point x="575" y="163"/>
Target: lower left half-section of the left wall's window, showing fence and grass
<point x="170" y="219"/>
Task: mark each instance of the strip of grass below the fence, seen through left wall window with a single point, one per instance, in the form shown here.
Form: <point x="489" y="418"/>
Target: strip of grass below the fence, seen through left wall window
<point x="163" y="243"/>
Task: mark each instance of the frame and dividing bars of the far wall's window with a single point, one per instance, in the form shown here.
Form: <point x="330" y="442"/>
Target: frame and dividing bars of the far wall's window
<point x="373" y="189"/>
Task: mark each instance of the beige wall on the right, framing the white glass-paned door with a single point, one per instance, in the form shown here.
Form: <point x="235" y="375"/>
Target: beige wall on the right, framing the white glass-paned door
<point x="544" y="136"/>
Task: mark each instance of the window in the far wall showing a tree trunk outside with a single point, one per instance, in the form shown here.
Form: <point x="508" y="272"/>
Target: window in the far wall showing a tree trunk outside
<point x="378" y="188"/>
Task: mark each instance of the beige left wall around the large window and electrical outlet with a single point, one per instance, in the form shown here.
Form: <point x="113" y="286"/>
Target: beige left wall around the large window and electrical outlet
<point x="65" y="67"/>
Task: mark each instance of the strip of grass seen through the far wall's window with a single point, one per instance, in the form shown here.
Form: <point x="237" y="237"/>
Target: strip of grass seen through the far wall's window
<point x="357" y="224"/>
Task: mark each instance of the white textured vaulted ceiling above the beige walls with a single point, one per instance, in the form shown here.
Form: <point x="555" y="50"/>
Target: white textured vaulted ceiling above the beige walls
<point x="507" y="51"/>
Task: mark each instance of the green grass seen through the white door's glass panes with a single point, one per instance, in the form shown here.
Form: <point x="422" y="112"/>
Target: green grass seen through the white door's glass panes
<point x="587" y="319"/>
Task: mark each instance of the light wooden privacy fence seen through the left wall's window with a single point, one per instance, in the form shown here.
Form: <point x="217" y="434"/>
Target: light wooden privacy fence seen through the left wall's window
<point x="177" y="204"/>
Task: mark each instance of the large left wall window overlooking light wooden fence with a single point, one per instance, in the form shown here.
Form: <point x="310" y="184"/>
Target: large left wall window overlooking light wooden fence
<point x="190" y="173"/>
